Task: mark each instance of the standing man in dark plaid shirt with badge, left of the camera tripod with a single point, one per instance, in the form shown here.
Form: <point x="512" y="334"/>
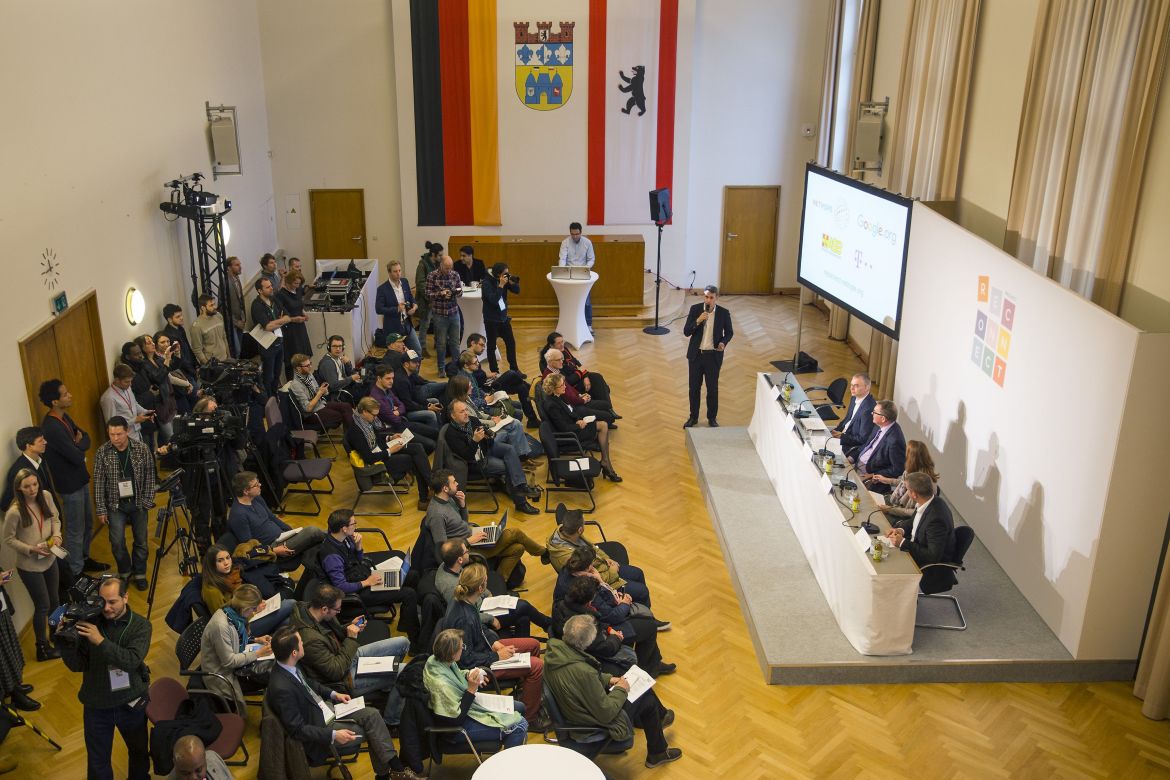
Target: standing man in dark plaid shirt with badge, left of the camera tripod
<point x="125" y="486"/>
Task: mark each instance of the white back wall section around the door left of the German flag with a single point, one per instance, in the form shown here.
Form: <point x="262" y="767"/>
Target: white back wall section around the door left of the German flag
<point x="332" y="107"/>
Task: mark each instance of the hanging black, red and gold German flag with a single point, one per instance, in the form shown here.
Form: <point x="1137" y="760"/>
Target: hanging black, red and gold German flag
<point x="457" y="130"/>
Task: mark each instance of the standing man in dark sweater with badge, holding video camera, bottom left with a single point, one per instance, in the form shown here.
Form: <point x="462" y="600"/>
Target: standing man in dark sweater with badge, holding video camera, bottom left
<point x="111" y="652"/>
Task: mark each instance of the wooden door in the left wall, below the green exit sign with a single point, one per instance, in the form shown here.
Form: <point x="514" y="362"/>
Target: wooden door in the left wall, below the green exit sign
<point x="70" y="348"/>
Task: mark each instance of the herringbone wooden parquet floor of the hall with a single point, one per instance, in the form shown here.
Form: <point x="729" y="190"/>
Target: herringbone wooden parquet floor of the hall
<point x="729" y="723"/>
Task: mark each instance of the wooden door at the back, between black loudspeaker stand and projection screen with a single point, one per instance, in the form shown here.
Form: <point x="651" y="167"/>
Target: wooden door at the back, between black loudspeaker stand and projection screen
<point x="748" y="257"/>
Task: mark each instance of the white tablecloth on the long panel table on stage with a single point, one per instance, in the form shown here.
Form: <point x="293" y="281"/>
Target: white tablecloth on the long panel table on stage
<point x="875" y="604"/>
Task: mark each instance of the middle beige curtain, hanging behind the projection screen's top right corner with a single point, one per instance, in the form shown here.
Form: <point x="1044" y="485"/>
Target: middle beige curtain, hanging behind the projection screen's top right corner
<point x="930" y="121"/>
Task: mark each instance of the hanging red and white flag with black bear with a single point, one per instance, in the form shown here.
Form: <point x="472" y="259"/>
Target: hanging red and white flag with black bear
<point x="632" y="58"/>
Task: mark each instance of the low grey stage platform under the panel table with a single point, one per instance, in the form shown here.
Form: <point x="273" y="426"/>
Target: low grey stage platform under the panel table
<point x="796" y="638"/>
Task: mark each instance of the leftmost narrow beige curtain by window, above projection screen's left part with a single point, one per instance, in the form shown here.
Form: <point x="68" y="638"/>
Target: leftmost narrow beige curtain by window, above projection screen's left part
<point x="849" y="56"/>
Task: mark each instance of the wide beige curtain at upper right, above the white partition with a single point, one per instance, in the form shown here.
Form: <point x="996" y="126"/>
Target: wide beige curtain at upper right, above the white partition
<point x="1089" y="108"/>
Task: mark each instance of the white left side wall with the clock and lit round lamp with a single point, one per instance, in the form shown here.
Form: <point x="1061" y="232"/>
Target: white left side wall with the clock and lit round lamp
<point x="106" y="103"/>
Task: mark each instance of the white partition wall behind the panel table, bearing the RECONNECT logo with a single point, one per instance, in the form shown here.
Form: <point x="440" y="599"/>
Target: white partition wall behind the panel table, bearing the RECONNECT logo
<point x="1052" y="473"/>
